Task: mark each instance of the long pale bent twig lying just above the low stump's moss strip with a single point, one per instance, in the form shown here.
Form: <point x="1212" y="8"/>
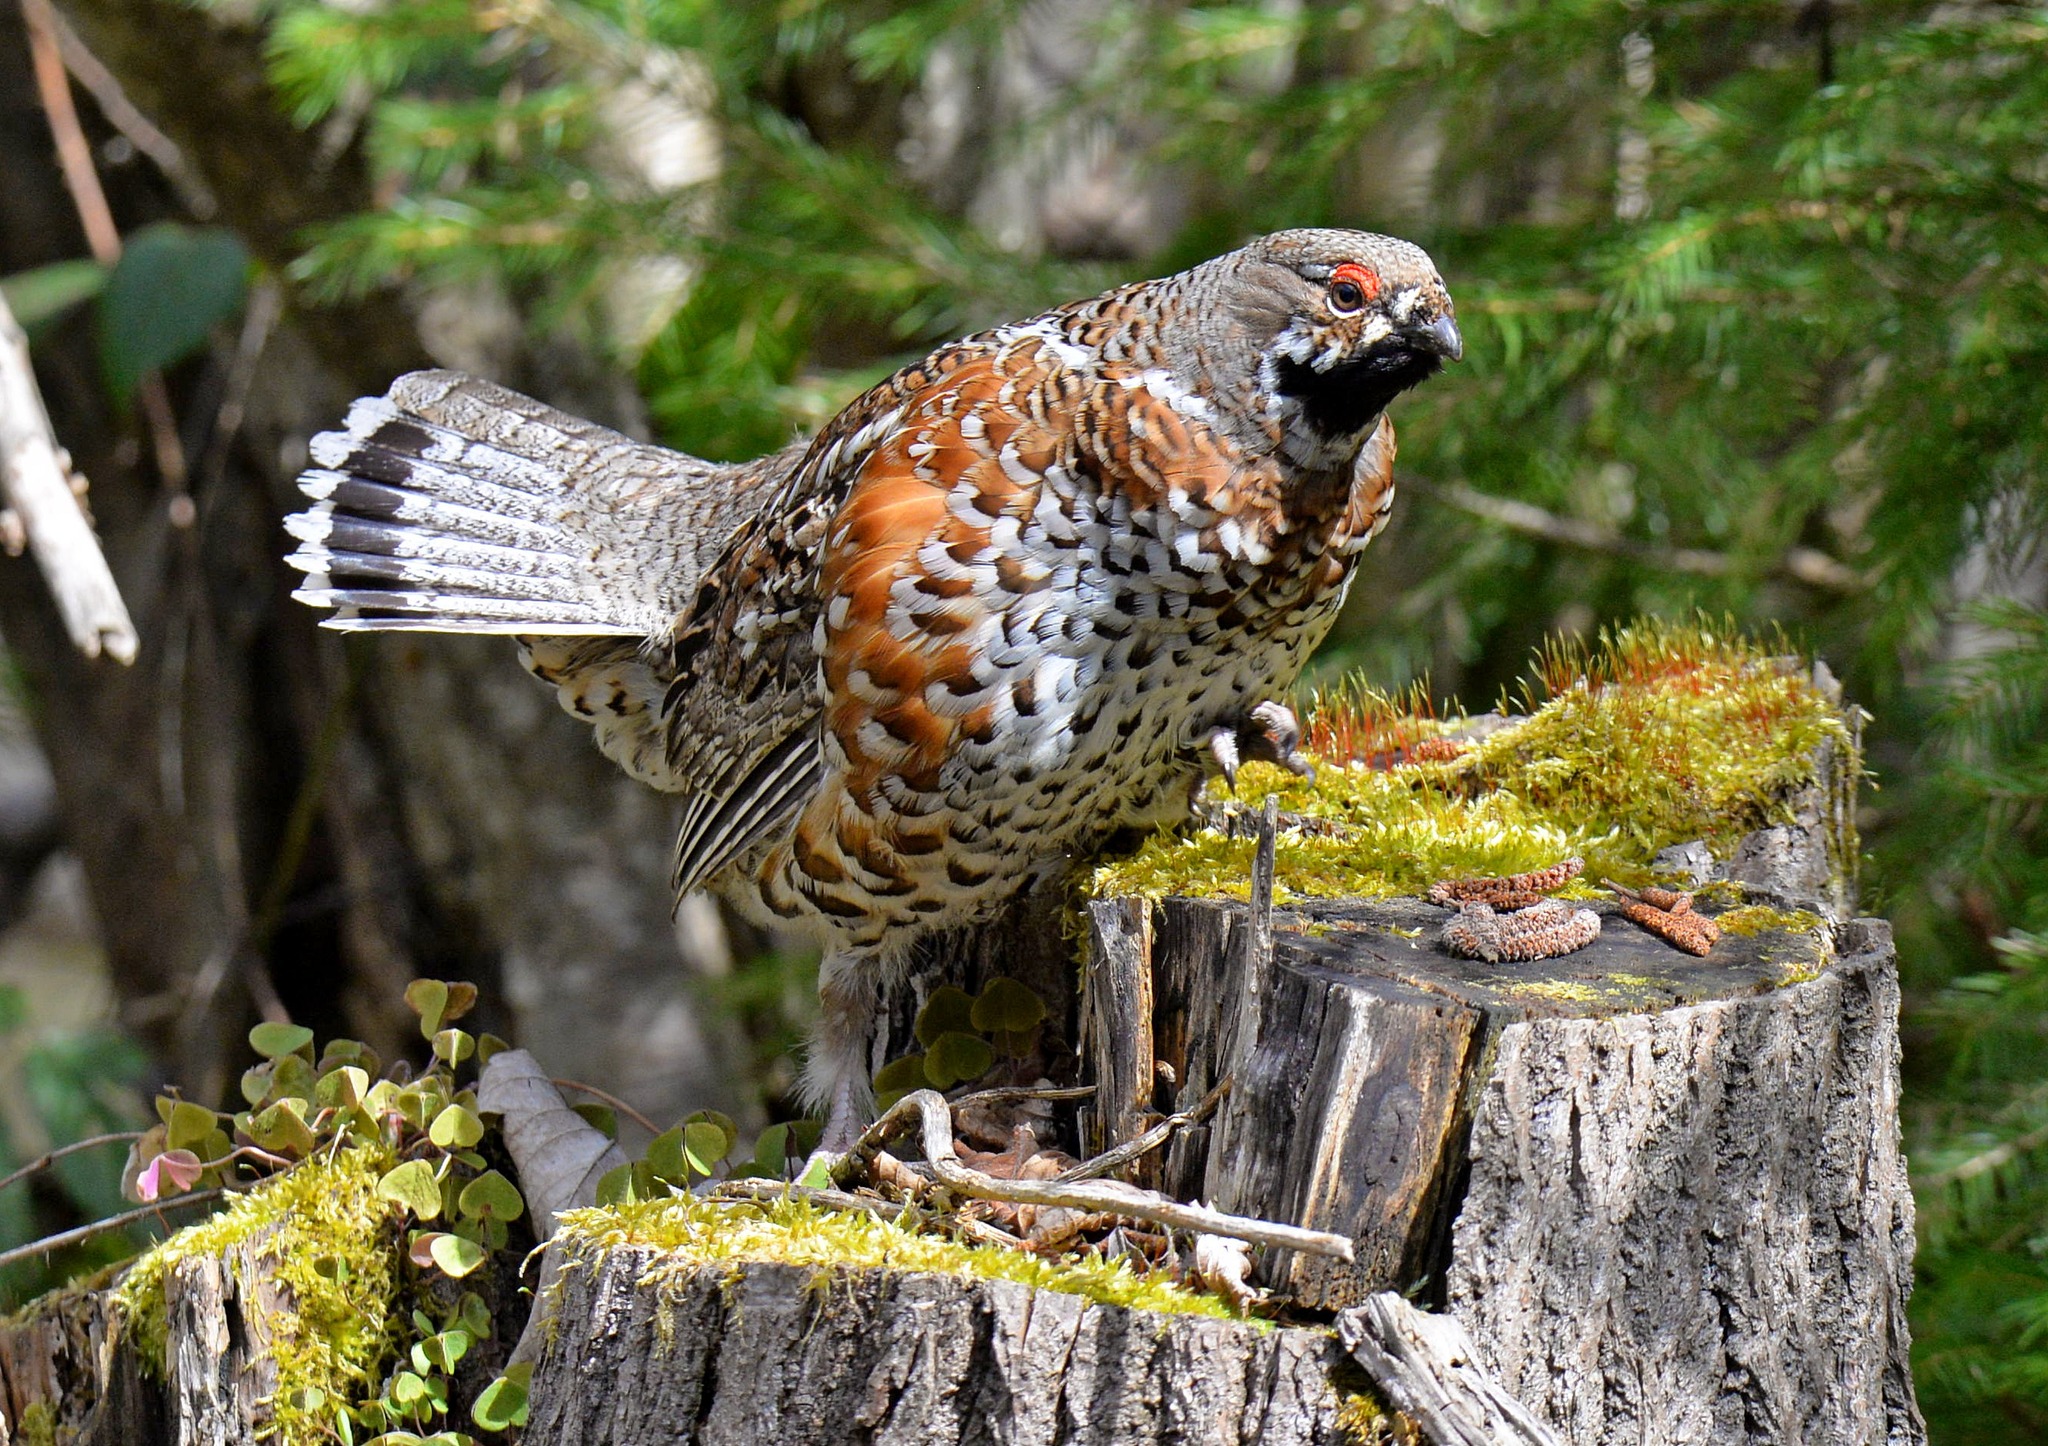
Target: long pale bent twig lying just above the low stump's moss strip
<point x="1109" y="1197"/>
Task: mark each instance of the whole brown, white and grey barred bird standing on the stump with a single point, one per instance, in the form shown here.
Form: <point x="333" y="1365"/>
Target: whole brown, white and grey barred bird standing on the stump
<point x="1002" y="605"/>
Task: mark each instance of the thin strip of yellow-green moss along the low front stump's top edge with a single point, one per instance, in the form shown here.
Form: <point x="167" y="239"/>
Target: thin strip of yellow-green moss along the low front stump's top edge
<point x="798" y="1234"/>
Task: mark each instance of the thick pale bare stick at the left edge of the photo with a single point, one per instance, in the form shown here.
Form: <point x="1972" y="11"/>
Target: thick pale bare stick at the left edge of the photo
<point x="38" y="484"/>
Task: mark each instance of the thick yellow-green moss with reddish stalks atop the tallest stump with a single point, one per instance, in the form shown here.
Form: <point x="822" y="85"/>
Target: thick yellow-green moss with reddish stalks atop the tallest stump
<point x="1660" y="736"/>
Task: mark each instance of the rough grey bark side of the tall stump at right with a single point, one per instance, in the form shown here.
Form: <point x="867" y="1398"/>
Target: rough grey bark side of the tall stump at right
<point x="1695" y="1226"/>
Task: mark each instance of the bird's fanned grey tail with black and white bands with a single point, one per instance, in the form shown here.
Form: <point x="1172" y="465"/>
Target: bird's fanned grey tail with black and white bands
<point x="456" y="507"/>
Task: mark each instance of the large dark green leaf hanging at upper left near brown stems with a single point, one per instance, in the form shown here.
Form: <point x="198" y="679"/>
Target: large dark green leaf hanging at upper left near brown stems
<point x="171" y="288"/>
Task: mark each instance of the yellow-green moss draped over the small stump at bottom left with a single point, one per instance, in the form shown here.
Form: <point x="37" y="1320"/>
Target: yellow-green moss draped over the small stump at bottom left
<point x="337" y="1254"/>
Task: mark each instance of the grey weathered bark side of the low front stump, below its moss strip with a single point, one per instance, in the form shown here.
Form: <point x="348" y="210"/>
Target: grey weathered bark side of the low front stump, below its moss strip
<point x="650" y="1351"/>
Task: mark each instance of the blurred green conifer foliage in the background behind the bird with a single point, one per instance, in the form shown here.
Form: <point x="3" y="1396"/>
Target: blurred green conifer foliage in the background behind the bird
<point x="1756" y="323"/>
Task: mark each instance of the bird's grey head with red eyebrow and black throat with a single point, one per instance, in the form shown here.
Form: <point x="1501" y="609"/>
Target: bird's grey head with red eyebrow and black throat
<point x="1342" y="323"/>
